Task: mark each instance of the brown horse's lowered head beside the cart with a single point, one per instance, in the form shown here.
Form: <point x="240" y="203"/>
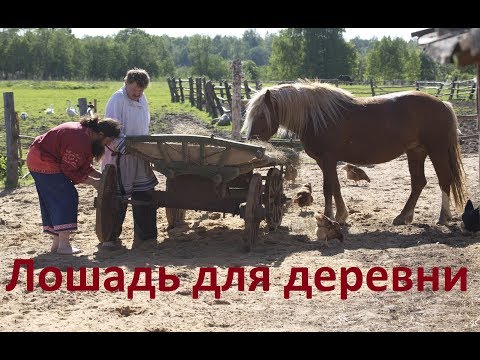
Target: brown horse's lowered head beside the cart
<point x="260" y="120"/>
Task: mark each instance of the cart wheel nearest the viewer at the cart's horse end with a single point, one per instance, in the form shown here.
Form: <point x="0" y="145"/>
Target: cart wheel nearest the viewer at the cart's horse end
<point x="254" y="212"/>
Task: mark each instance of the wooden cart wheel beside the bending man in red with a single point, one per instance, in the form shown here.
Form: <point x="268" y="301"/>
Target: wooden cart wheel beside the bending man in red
<point x="106" y="203"/>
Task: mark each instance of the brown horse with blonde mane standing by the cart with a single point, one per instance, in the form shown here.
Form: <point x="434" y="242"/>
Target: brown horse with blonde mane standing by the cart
<point x="333" y="125"/>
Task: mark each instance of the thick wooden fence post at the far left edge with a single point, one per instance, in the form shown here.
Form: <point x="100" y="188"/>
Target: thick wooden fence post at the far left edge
<point x="12" y="141"/>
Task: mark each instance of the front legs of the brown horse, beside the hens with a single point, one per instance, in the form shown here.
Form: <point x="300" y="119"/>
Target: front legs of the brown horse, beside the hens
<point x="331" y="186"/>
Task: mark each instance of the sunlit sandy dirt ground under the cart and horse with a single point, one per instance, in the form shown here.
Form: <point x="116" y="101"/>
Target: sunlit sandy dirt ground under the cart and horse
<point x="209" y="240"/>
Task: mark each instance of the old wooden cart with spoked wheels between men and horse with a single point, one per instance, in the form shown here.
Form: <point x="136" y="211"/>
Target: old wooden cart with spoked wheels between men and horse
<point x="203" y="173"/>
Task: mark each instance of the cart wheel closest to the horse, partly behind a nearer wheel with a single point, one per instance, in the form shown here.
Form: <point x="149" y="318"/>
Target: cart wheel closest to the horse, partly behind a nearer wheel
<point x="274" y="199"/>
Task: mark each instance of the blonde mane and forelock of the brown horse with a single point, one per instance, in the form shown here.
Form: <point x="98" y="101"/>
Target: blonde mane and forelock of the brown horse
<point x="299" y="104"/>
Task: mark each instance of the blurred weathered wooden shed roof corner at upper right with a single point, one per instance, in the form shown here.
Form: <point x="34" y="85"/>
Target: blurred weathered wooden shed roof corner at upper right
<point x="460" y="46"/>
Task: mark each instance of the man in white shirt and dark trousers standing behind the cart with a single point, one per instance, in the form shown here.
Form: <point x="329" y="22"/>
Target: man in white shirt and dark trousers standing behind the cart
<point x="135" y="176"/>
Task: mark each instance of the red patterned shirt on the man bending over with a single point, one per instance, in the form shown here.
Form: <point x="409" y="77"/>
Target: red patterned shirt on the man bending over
<point x="67" y="148"/>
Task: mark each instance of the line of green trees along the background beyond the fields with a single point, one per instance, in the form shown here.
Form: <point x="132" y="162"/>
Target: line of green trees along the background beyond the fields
<point x="56" y="54"/>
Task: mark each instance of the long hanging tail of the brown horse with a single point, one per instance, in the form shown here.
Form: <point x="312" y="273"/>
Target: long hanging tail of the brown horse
<point x="457" y="186"/>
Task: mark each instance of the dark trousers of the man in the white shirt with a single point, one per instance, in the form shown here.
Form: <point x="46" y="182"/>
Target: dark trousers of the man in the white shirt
<point x="144" y="218"/>
